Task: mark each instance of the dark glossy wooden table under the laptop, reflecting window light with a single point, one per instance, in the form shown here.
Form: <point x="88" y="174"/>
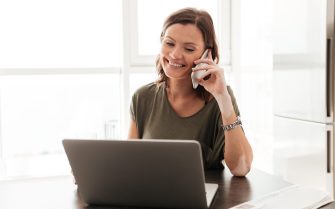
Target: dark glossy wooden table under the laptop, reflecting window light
<point x="61" y="193"/>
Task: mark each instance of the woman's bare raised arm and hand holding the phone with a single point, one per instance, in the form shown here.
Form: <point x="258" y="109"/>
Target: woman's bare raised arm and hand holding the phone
<point x="237" y="152"/>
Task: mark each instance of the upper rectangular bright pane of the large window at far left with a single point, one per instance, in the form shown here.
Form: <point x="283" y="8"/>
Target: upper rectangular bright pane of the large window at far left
<point x="60" y="33"/>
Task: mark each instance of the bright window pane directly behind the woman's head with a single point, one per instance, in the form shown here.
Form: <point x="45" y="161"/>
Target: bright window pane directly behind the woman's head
<point x="149" y="34"/>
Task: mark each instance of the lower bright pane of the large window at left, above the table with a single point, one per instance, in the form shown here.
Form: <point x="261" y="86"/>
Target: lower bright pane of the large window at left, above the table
<point x="38" y="111"/>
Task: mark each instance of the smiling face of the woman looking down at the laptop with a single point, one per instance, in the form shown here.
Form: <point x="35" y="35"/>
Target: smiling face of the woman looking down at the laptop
<point x="181" y="46"/>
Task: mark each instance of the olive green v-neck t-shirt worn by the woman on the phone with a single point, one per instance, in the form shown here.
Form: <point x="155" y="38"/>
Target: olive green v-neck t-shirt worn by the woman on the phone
<point x="156" y="119"/>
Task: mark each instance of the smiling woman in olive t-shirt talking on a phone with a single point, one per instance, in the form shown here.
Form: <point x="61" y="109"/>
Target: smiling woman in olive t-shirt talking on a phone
<point x="171" y="108"/>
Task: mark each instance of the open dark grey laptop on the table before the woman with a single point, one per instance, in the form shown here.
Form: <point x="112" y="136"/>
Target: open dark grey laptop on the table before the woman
<point x="140" y="173"/>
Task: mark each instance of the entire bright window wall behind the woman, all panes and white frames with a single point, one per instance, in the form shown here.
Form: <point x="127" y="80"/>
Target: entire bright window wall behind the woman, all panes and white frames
<point x="68" y="69"/>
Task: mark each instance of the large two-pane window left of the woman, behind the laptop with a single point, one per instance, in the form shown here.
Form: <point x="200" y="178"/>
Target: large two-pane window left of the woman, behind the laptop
<point x="60" y="75"/>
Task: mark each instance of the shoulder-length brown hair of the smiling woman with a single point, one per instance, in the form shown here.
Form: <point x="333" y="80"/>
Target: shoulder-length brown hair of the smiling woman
<point x="203" y="21"/>
